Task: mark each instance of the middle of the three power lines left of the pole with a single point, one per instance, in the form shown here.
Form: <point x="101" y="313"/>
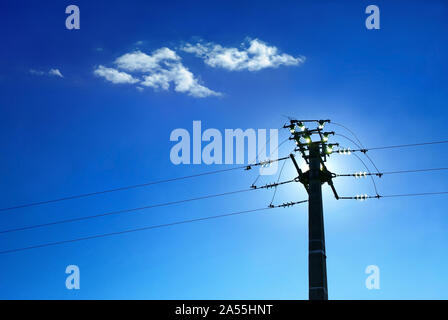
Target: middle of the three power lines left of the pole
<point x="110" y="213"/>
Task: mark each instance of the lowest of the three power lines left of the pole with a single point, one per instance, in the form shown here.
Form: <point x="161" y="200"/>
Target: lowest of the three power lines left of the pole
<point x="147" y="228"/>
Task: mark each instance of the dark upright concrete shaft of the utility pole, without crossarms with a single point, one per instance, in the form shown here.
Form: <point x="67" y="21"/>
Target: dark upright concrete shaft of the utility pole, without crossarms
<point x="317" y="267"/>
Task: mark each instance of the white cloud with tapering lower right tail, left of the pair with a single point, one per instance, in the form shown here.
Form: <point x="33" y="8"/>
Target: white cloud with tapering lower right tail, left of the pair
<point x="158" y="70"/>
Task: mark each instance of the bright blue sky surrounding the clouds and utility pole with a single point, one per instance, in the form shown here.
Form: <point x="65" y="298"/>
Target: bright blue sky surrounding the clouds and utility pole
<point x="78" y="132"/>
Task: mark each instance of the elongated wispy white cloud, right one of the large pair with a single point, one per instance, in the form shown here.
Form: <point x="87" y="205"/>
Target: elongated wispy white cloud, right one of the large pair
<point x="255" y="55"/>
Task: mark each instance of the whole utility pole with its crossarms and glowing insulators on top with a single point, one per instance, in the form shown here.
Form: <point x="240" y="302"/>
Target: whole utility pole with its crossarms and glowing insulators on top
<point x="315" y="154"/>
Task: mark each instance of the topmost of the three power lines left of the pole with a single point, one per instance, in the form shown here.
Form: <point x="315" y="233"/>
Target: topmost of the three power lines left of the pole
<point x="84" y="195"/>
